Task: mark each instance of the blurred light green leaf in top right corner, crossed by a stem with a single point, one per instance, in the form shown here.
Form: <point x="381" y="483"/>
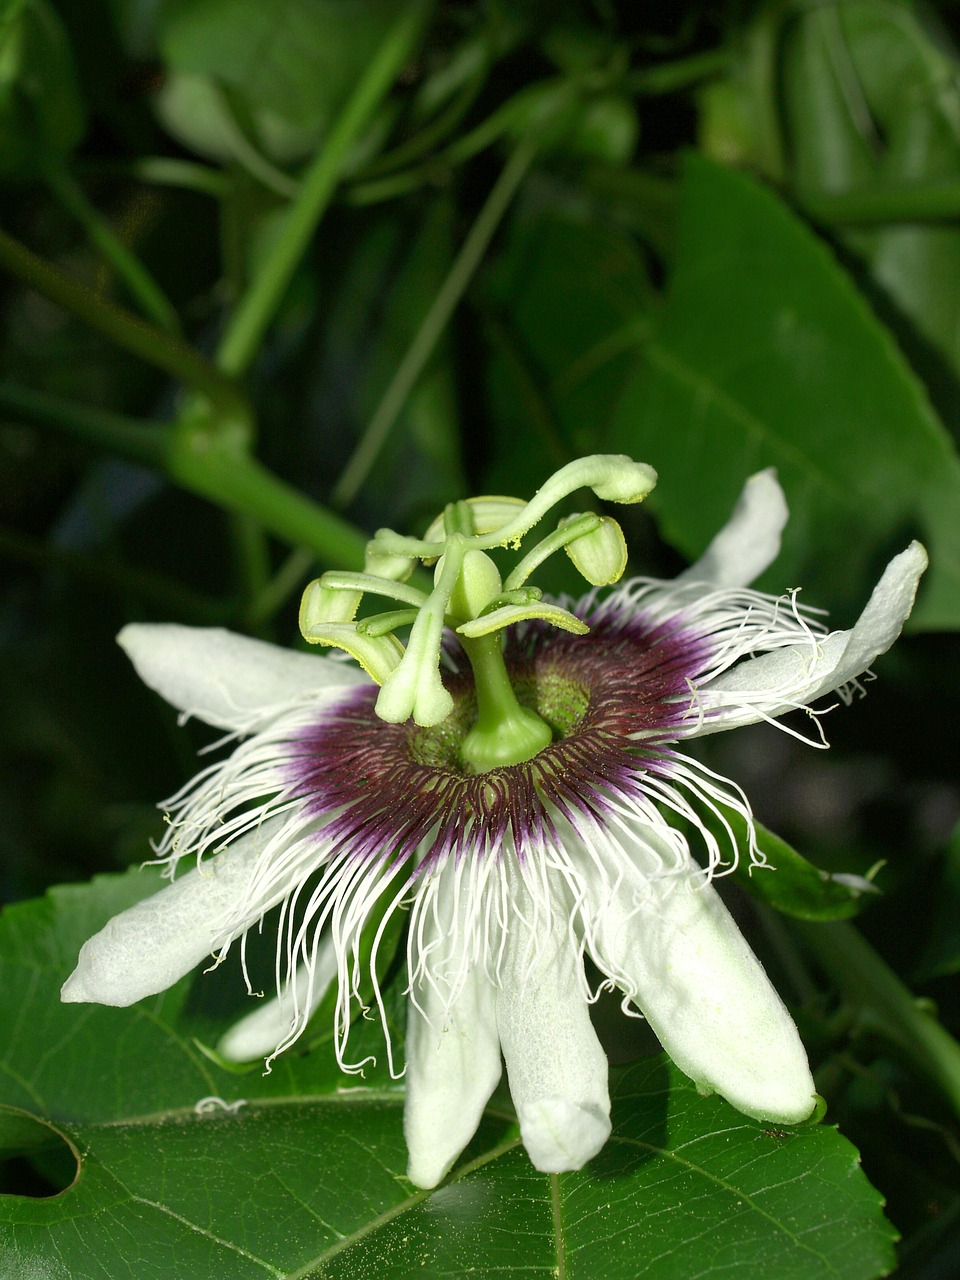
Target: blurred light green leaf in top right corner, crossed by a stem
<point x="872" y="99"/>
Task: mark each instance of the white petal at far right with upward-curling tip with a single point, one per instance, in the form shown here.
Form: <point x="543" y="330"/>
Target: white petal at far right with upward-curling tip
<point x="796" y="676"/>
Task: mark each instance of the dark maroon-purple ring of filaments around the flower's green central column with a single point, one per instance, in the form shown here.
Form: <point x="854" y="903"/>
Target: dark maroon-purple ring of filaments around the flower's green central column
<point x="614" y="702"/>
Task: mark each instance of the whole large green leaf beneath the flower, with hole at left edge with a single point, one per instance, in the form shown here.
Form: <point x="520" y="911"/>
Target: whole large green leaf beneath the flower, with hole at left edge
<point x="307" y="1178"/>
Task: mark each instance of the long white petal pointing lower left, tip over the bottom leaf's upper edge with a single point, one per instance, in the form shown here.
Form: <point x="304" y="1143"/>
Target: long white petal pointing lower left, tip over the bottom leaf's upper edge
<point x="153" y="945"/>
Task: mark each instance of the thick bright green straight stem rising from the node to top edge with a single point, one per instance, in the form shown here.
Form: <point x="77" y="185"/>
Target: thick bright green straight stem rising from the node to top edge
<point x="258" y="307"/>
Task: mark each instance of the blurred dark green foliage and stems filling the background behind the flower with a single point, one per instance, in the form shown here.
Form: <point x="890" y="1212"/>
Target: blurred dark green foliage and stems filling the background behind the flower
<point x="481" y="240"/>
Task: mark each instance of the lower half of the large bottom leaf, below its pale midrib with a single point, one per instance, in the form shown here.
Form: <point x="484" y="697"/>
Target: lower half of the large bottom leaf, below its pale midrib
<point x="316" y="1187"/>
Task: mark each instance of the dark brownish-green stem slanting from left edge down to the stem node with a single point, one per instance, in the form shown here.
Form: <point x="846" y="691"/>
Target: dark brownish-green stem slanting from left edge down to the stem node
<point x="159" y="349"/>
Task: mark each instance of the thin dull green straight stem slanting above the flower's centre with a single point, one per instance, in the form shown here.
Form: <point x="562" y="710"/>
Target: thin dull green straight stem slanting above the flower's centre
<point x="433" y="326"/>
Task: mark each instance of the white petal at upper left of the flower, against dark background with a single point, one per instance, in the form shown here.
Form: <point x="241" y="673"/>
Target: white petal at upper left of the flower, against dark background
<point x="227" y="680"/>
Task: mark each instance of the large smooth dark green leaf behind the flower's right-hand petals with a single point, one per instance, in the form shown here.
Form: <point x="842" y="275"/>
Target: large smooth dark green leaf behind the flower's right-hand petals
<point x="766" y="355"/>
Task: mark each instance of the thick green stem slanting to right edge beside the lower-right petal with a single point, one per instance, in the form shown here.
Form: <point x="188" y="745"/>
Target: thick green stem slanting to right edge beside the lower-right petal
<point x="884" y="1004"/>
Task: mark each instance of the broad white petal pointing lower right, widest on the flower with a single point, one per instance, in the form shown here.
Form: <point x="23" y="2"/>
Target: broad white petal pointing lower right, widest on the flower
<point x="675" y="949"/>
